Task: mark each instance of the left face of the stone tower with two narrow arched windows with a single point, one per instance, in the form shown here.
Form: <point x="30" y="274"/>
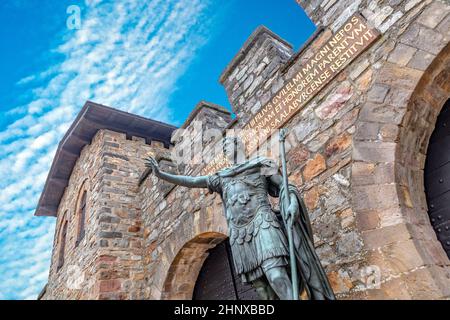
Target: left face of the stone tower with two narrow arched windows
<point x="81" y="258"/>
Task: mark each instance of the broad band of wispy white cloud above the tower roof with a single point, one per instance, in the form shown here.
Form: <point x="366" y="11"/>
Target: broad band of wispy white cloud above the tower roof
<point x="129" y="54"/>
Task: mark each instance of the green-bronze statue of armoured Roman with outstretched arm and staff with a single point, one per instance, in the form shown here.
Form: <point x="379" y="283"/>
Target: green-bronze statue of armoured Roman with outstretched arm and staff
<point x="267" y="246"/>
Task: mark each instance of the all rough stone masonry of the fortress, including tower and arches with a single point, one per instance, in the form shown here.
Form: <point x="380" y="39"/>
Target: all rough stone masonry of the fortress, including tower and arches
<point x="356" y="151"/>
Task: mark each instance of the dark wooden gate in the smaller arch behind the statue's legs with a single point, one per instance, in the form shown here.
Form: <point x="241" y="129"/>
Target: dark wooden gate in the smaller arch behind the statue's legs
<point x="217" y="279"/>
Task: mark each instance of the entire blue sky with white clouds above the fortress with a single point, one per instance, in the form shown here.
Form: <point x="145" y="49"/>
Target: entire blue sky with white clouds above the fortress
<point x="154" y="58"/>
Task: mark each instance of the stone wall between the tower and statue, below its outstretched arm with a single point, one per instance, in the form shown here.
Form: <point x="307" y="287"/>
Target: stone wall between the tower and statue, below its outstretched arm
<point x="181" y="225"/>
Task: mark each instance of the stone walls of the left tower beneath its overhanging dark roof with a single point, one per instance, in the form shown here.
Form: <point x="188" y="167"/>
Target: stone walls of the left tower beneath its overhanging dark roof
<point x="109" y="258"/>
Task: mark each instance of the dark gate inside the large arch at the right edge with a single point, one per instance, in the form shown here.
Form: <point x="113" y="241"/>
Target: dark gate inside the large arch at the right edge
<point x="437" y="178"/>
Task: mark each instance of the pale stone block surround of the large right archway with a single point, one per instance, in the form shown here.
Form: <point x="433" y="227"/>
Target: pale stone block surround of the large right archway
<point x="392" y="205"/>
